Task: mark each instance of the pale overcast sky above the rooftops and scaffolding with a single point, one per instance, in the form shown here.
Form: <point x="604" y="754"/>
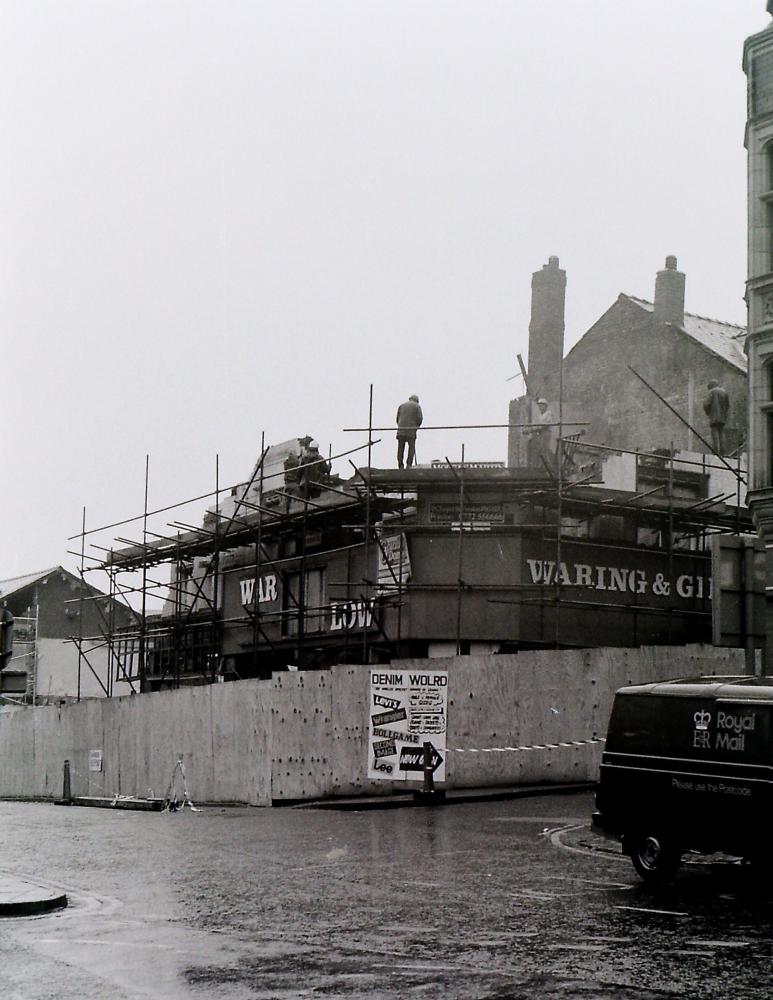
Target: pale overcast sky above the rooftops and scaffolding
<point x="222" y="218"/>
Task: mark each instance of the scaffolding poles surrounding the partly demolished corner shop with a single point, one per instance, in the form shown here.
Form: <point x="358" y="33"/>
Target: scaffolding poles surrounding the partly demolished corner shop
<point x="187" y="642"/>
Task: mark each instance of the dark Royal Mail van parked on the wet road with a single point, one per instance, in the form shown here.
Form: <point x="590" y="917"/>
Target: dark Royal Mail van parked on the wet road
<point x="688" y="765"/>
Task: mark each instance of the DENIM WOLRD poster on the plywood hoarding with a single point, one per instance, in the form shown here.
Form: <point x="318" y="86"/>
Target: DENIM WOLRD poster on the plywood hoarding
<point x="407" y="708"/>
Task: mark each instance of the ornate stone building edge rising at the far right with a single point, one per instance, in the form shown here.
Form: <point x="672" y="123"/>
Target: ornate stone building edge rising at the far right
<point x="758" y="66"/>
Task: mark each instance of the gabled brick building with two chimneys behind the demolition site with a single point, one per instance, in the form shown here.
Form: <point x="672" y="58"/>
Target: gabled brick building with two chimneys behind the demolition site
<point x="599" y="393"/>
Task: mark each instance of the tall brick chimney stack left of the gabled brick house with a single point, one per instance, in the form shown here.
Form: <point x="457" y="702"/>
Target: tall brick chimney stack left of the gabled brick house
<point x="546" y="328"/>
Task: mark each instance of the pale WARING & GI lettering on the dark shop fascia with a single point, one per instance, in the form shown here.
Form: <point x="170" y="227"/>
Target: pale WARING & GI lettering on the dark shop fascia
<point x="619" y="579"/>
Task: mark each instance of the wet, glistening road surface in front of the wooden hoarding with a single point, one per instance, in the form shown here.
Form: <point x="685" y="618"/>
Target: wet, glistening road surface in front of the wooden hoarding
<point x="512" y="900"/>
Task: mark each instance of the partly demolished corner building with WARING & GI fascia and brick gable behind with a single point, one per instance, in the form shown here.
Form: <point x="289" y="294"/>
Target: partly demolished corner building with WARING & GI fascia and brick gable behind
<point x="589" y="535"/>
